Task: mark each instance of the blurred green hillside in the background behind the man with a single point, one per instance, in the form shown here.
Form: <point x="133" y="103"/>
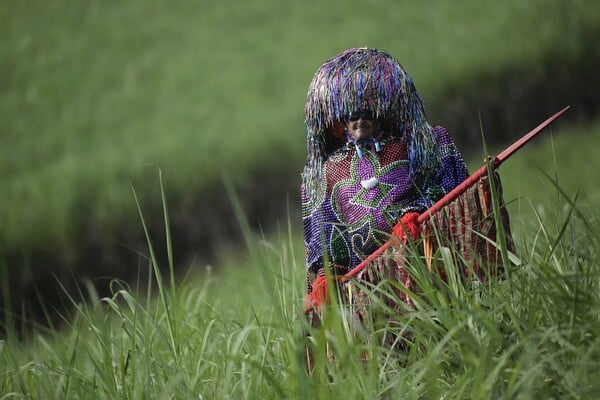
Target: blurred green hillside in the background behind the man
<point x="96" y="95"/>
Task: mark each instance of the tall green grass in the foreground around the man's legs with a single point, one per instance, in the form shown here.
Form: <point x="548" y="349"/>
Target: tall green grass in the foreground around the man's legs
<point x="237" y="334"/>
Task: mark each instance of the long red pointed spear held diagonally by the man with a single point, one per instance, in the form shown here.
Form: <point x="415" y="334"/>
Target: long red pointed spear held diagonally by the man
<point x="453" y="194"/>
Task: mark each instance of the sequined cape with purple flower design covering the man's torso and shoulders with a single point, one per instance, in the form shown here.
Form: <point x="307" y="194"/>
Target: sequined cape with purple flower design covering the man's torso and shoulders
<point x="364" y="196"/>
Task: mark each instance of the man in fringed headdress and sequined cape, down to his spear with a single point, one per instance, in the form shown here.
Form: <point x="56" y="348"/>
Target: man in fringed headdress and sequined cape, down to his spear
<point x="373" y="160"/>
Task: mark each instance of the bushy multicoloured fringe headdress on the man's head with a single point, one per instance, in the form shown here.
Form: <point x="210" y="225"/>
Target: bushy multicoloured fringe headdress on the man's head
<point x="365" y="79"/>
